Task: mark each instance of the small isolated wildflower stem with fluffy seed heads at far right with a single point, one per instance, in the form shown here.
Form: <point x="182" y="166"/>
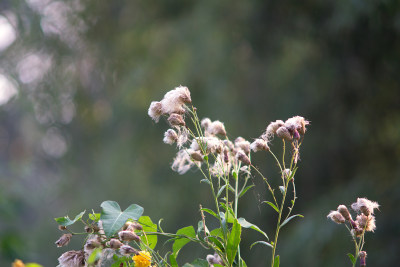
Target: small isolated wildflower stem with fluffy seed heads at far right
<point x="365" y="222"/>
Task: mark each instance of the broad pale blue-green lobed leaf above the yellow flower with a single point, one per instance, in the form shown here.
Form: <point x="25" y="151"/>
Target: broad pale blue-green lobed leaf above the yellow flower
<point x="113" y="218"/>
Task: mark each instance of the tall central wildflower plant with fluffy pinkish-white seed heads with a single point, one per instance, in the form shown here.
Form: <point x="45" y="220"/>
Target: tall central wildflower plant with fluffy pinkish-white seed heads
<point x="226" y="167"/>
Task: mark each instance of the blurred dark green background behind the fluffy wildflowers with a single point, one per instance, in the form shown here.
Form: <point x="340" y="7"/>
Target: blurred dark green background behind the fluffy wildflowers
<point x="77" y="77"/>
